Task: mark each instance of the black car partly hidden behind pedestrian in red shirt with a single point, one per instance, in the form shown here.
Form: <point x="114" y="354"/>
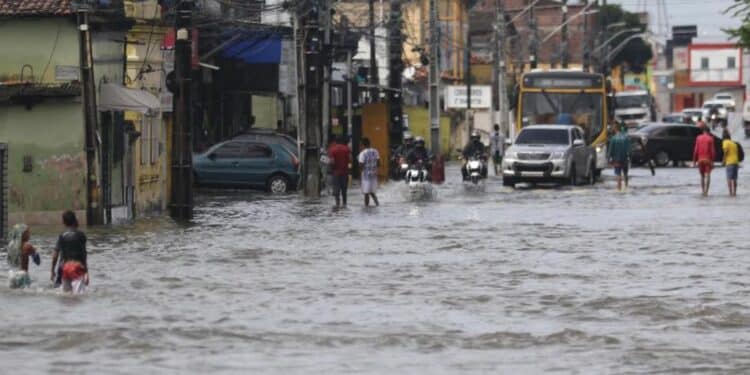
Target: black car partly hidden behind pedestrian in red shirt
<point x="666" y="143"/>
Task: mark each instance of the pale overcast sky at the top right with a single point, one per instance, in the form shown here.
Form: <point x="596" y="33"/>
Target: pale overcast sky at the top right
<point x="706" y="14"/>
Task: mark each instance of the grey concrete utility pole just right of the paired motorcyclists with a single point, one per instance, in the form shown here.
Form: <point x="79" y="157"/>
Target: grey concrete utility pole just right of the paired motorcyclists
<point x="434" y="79"/>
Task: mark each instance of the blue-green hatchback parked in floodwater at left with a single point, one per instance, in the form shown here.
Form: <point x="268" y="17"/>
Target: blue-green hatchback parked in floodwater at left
<point x="244" y="162"/>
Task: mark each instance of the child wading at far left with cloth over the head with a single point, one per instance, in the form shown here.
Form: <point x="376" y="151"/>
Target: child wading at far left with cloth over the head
<point x="19" y="252"/>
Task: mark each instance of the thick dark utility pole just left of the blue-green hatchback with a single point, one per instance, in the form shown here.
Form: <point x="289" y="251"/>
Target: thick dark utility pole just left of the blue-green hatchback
<point x="181" y="206"/>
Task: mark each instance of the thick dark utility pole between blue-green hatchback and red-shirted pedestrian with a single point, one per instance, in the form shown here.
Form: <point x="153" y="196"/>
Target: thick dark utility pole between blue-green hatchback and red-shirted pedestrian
<point x="313" y="51"/>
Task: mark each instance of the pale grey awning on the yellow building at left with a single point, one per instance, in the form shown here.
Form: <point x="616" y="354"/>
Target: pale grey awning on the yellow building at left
<point x="114" y="97"/>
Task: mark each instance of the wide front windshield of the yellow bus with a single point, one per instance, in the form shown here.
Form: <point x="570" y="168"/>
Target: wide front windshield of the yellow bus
<point x="582" y="109"/>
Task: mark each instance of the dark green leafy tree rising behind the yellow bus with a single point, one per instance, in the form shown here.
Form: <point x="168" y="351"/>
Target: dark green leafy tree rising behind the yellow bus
<point x="637" y="53"/>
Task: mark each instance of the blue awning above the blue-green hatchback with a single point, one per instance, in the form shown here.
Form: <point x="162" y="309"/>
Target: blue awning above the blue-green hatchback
<point x="256" y="49"/>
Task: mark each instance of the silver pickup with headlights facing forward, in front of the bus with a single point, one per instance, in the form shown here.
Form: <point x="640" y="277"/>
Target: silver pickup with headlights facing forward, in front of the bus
<point x="549" y="153"/>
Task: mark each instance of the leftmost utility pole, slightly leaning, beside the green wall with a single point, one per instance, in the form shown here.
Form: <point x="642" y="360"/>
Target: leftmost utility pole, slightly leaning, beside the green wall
<point x="94" y="201"/>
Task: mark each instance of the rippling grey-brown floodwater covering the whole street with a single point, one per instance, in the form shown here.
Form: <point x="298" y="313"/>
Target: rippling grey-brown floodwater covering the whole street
<point x="567" y="280"/>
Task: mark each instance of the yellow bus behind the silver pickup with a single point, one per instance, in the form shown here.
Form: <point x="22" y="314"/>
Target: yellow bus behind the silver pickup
<point x="566" y="97"/>
